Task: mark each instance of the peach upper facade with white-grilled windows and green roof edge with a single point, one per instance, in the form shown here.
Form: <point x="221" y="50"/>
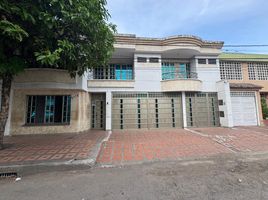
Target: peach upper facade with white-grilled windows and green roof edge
<point x="245" y="69"/>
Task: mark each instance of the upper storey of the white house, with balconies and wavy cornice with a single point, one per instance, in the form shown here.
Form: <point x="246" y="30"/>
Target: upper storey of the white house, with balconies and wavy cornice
<point x="178" y="63"/>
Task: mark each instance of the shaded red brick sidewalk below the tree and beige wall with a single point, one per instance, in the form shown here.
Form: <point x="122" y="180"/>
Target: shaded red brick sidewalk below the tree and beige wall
<point x="44" y="148"/>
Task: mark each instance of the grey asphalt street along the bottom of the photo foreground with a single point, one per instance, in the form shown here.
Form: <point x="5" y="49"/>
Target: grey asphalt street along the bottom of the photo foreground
<point x="219" y="177"/>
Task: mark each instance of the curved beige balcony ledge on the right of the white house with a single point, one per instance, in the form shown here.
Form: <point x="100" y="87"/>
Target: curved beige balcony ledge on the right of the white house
<point x="181" y="85"/>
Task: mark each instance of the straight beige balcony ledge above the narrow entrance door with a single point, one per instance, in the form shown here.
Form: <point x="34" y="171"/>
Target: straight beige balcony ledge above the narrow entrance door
<point x="110" y="83"/>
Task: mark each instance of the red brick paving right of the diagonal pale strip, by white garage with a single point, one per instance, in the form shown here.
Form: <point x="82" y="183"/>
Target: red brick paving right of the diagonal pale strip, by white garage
<point x="240" y="139"/>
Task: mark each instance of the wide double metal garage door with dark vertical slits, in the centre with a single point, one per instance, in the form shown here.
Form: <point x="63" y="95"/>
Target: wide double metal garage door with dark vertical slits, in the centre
<point x="146" y="110"/>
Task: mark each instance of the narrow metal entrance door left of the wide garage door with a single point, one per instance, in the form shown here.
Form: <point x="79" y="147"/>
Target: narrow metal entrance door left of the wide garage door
<point x="98" y="111"/>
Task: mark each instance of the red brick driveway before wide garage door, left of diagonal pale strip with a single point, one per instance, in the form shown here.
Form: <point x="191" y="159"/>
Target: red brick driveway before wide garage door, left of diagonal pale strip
<point x="128" y="146"/>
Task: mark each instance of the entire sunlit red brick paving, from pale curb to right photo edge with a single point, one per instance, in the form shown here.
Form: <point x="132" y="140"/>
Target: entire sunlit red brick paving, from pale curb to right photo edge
<point x="124" y="147"/>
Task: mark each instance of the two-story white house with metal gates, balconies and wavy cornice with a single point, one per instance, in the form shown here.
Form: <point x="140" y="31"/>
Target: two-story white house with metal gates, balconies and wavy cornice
<point x="157" y="83"/>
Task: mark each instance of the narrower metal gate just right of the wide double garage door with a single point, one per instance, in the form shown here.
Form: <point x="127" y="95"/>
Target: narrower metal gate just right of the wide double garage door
<point x="202" y="109"/>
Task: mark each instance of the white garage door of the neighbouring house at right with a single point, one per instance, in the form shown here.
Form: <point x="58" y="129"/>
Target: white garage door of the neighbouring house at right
<point x="244" y="108"/>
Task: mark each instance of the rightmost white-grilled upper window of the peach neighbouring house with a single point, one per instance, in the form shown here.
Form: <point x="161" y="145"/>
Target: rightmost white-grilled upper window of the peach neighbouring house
<point x="258" y="71"/>
